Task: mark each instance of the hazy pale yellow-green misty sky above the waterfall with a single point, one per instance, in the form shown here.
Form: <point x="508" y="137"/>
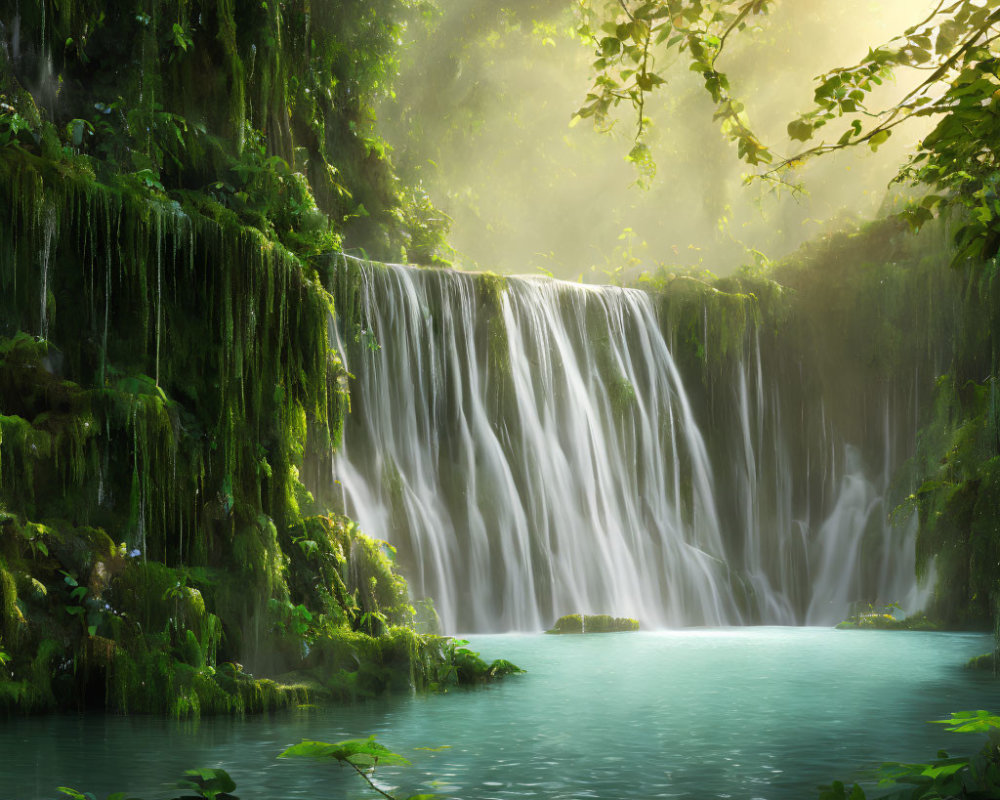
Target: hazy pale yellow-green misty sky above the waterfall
<point x="482" y="117"/>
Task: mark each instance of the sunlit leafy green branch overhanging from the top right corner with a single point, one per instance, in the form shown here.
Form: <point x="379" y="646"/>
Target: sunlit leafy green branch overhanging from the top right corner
<point x="952" y="49"/>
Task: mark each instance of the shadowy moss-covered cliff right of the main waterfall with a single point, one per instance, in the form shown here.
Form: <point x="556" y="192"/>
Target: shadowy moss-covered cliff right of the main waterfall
<point x="851" y="334"/>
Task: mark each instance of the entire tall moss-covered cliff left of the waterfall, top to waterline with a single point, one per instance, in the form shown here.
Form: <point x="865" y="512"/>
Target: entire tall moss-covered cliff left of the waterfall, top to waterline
<point x="168" y="171"/>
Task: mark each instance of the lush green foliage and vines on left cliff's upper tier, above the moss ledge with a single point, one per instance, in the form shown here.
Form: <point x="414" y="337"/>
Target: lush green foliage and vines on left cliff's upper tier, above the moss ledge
<point x="262" y="109"/>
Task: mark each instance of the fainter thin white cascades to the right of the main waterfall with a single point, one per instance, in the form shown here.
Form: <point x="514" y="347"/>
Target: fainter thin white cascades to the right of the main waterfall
<point x="814" y="528"/>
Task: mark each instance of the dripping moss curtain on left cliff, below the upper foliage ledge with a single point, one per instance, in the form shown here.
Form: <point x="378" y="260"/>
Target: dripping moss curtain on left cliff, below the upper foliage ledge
<point x="175" y="407"/>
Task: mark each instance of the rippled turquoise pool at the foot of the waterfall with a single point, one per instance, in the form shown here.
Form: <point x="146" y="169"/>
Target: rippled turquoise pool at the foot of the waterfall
<point x="742" y="713"/>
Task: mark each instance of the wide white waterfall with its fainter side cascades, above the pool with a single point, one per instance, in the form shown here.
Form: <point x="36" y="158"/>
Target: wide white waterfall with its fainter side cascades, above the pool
<point x="530" y="448"/>
